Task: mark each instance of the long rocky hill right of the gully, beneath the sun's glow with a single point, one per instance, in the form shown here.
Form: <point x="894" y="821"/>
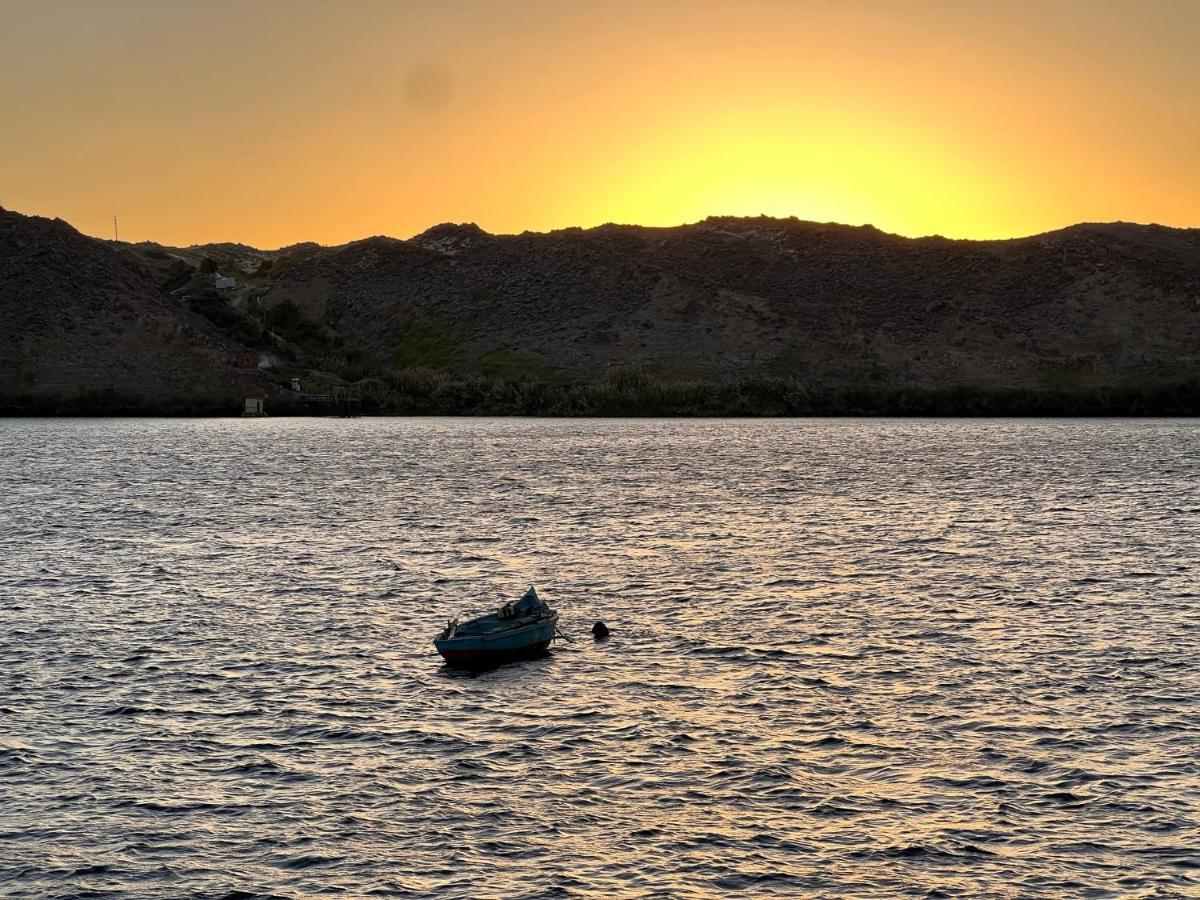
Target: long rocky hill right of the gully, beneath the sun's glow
<point x="1091" y="305"/>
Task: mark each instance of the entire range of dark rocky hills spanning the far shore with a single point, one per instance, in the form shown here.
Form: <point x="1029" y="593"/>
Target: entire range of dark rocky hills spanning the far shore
<point x="826" y="310"/>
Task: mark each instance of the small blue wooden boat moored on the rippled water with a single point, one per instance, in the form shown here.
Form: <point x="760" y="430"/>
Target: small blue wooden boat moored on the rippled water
<point x="518" y="631"/>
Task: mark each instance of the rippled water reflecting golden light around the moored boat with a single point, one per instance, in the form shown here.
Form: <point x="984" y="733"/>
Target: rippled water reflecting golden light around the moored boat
<point x="874" y="658"/>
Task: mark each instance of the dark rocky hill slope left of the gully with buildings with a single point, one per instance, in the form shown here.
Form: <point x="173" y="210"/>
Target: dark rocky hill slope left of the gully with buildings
<point x="89" y="328"/>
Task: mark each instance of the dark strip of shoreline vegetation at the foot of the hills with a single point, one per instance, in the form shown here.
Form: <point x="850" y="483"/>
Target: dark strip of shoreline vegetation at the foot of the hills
<point x="440" y="394"/>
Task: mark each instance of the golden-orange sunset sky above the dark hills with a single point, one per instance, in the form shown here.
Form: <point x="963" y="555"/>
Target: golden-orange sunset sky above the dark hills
<point x="274" y="122"/>
